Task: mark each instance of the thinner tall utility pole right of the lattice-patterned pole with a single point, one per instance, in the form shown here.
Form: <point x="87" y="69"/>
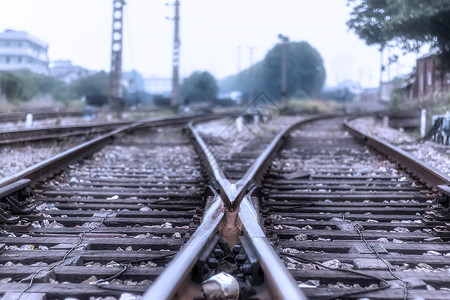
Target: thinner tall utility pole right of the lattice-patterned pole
<point x="176" y="59"/>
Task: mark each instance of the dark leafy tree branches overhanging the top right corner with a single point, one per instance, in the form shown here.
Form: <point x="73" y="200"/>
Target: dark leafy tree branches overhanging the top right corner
<point x="407" y="24"/>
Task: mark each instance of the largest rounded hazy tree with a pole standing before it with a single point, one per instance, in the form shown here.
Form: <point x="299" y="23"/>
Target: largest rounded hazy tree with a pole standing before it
<point x="305" y="73"/>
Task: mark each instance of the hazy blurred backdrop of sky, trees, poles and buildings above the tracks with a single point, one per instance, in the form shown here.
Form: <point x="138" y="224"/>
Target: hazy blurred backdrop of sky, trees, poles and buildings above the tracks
<point x="184" y="56"/>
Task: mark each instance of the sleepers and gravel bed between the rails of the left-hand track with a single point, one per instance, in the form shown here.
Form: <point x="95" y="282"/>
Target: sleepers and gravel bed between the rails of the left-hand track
<point x="111" y="214"/>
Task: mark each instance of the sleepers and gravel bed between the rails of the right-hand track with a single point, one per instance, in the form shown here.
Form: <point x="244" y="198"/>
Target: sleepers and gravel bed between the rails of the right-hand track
<point x="330" y="203"/>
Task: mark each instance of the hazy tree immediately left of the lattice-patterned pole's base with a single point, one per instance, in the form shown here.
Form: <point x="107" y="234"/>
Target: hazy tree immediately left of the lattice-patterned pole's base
<point x="94" y="87"/>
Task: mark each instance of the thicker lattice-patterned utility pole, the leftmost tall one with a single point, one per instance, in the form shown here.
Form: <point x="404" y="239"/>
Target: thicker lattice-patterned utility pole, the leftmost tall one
<point x="115" y="75"/>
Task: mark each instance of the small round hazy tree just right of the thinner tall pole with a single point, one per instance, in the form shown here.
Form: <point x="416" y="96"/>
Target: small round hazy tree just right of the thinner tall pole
<point x="199" y="87"/>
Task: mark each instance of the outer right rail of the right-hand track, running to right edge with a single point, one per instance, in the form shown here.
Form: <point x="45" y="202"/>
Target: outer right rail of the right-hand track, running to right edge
<point x="428" y="175"/>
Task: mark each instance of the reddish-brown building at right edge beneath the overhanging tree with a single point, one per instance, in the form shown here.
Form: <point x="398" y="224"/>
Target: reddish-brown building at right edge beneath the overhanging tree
<point x="429" y="78"/>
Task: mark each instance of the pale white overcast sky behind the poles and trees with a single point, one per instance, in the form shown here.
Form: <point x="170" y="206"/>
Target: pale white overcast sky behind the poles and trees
<point x="211" y="33"/>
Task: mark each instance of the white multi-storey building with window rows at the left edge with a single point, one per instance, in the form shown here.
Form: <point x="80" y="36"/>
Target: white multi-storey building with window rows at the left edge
<point x="20" y="50"/>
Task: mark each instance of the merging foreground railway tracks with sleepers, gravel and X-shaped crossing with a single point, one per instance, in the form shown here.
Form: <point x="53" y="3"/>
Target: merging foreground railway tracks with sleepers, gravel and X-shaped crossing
<point x="325" y="213"/>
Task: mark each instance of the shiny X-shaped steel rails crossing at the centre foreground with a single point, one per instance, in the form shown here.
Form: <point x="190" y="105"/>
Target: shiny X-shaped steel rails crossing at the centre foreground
<point x="281" y="282"/>
